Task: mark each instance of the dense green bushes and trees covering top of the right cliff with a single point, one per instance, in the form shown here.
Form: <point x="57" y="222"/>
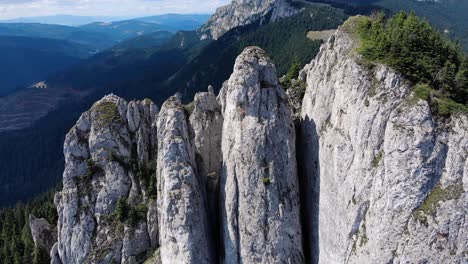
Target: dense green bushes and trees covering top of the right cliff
<point x="438" y="67"/>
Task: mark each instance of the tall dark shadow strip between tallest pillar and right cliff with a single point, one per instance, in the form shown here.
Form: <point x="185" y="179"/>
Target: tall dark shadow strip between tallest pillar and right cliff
<point x="309" y="180"/>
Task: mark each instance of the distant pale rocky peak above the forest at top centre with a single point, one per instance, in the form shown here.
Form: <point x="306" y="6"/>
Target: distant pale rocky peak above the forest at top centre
<point x="244" y="12"/>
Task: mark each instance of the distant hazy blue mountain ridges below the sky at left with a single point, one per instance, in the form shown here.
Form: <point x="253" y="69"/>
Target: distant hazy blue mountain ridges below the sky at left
<point x="82" y="42"/>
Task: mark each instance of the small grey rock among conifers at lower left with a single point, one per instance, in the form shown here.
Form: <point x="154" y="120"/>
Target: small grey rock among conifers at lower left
<point x="44" y="234"/>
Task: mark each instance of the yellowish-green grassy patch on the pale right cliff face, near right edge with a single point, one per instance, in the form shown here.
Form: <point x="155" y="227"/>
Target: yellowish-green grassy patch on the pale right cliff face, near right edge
<point x="430" y="205"/>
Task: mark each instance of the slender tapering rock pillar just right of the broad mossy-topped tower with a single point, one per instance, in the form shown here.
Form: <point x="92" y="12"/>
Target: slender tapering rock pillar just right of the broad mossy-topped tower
<point x="181" y="207"/>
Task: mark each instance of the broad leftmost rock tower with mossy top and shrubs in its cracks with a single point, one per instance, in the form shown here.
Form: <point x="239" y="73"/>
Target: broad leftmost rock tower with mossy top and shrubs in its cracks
<point x="107" y="180"/>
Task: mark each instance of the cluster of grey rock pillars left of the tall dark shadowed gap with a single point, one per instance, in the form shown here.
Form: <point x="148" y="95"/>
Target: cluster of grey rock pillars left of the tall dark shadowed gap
<point x="137" y="180"/>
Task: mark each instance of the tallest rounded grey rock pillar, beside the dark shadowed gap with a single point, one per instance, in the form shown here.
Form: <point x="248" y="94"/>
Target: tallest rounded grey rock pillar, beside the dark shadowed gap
<point x="259" y="185"/>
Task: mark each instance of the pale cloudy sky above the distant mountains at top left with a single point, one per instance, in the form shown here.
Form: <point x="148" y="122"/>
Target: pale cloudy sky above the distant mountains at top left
<point x="31" y="8"/>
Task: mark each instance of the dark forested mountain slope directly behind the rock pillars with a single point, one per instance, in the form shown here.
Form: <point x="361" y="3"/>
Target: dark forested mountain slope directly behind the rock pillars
<point x="144" y="72"/>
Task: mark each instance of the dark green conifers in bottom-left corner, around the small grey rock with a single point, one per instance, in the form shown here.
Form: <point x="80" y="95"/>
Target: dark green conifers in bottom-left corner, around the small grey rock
<point x="16" y="244"/>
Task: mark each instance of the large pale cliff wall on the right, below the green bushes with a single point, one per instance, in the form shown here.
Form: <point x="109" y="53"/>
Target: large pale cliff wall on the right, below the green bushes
<point x="385" y="181"/>
